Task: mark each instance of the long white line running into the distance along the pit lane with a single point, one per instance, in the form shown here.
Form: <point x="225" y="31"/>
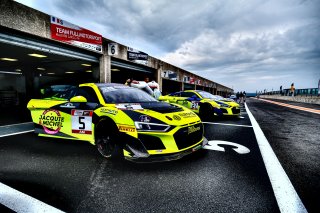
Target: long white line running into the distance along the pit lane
<point x="287" y="198"/>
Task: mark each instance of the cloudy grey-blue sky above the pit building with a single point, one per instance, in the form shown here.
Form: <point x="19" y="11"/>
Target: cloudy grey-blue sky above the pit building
<point x="244" y="44"/>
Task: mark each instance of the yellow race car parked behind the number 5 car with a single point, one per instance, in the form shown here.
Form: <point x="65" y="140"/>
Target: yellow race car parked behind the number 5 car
<point x="203" y="103"/>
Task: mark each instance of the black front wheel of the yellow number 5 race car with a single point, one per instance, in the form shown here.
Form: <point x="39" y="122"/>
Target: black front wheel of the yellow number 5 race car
<point x="106" y="143"/>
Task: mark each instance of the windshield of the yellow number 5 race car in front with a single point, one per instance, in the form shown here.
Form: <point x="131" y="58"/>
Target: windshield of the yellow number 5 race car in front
<point x="125" y="95"/>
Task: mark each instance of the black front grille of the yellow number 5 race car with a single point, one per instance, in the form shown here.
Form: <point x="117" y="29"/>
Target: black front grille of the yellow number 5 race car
<point x="188" y="136"/>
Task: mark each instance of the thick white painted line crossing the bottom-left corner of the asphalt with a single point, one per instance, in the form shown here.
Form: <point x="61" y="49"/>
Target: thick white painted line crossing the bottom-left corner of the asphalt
<point x="20" y="202"/>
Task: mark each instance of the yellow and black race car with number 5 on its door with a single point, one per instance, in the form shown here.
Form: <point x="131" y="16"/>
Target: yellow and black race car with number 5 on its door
<point x="123" y="122"/>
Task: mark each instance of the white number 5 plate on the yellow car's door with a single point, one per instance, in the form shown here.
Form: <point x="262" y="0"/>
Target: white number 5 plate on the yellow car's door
<point x="81" y="121"/>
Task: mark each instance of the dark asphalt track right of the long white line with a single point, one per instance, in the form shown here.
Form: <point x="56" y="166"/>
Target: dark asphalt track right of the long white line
<point x="294" y="136"/>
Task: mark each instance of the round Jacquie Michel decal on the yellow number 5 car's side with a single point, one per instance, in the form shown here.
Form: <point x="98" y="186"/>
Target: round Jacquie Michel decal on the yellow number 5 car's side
<point x="51" y="121"/>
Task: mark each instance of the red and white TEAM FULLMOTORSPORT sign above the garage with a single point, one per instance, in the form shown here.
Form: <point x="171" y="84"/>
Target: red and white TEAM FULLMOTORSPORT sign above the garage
<point x="72" y="34"/>
